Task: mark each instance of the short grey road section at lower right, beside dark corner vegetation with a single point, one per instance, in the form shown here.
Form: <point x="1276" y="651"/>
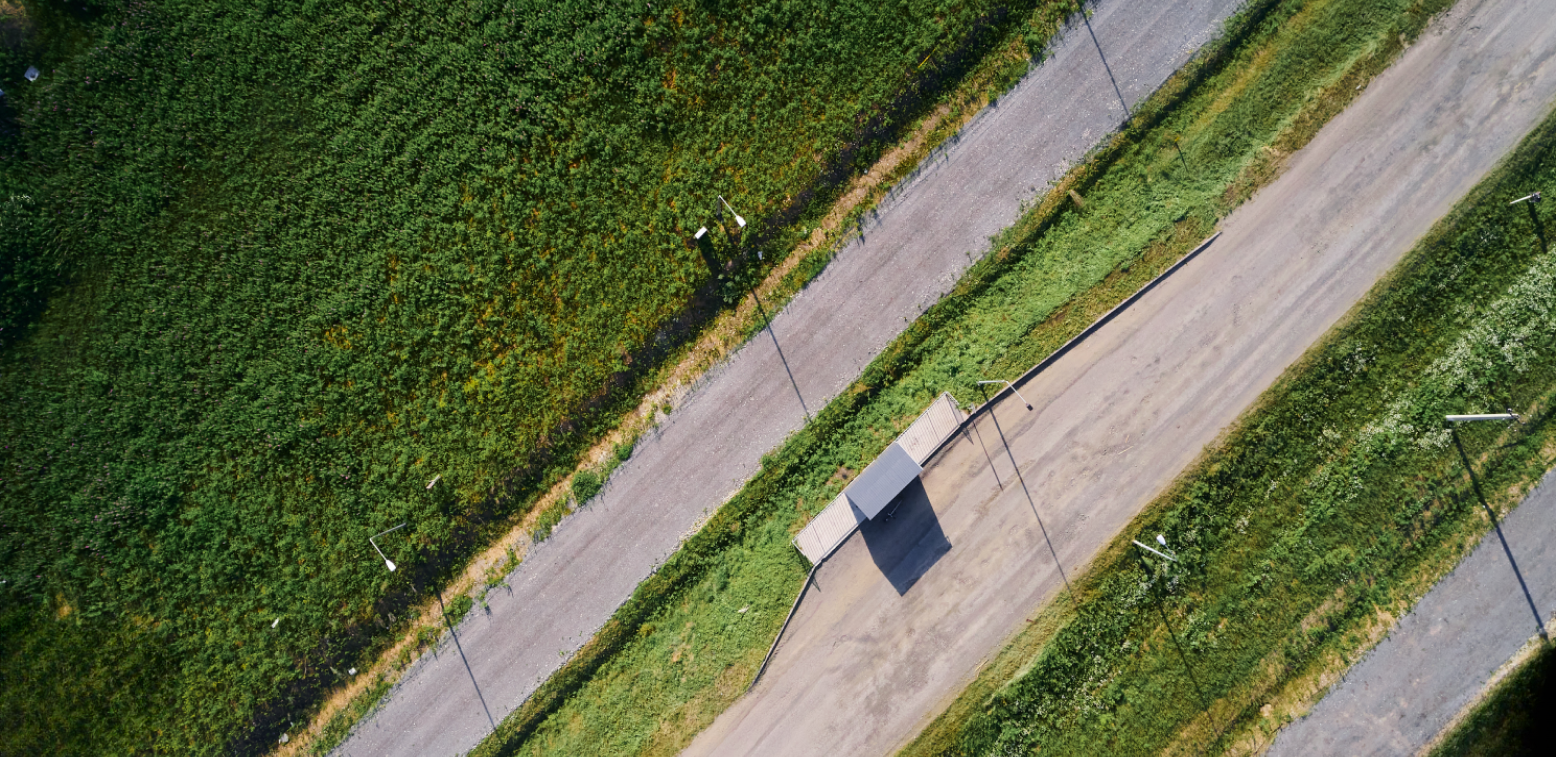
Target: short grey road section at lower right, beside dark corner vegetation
<point x="1442" y="655"/>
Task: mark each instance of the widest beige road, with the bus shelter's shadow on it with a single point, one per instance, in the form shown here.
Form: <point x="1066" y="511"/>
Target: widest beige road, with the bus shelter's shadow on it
<point x="906" y="612"/>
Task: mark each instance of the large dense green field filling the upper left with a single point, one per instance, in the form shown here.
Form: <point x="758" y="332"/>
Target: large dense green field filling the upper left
<point x="270" y="268"/>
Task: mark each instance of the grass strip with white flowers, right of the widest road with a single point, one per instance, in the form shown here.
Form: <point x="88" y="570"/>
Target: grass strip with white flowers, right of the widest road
<point x="1322" y="517"/>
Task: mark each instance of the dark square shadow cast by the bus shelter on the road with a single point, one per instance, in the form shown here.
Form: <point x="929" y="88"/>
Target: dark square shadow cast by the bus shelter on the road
<point x="906" y="542"/>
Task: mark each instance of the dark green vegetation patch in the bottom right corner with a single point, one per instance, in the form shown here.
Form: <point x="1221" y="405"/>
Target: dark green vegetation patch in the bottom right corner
<point x="1515" y="717"/>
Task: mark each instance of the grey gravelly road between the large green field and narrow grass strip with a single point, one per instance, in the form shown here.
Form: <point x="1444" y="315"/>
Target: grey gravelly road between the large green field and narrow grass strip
<point x="911" y="254"/>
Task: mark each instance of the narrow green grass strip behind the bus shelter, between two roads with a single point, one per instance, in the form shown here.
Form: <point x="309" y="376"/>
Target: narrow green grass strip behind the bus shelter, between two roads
<point x="675" y="655"/>
